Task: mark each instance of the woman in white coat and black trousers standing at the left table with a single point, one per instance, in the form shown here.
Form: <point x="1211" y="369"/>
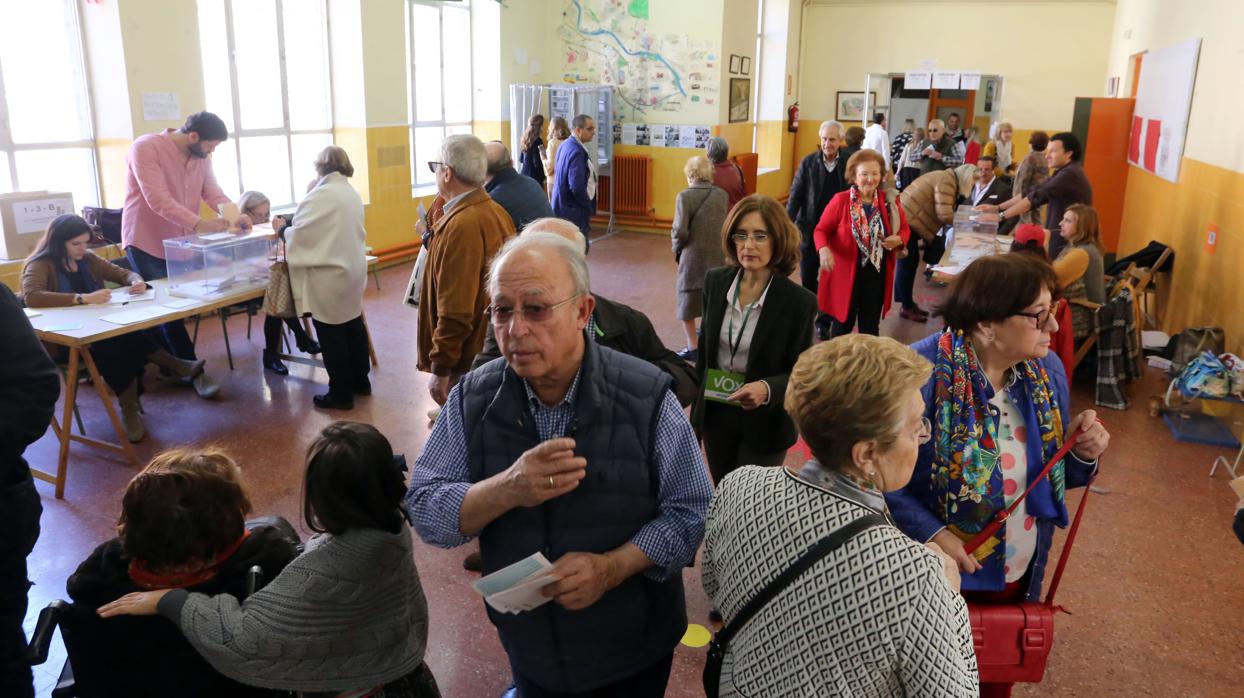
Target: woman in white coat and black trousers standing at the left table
<point x="329" y="272"/>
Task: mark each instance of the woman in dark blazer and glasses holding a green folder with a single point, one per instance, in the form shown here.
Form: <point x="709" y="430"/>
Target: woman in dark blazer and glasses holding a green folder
<point x="757" y="323"/>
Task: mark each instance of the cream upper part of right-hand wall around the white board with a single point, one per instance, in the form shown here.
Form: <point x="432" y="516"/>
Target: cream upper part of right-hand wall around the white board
<point x="1215" y="135"/>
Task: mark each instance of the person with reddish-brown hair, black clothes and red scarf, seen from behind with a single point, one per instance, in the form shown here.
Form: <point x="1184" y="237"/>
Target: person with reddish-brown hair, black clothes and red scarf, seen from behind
<point x="182" y="527"/>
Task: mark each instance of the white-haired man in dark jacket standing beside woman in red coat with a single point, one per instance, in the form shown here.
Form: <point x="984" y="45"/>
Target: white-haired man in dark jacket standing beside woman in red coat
<point x="820" y="176"/>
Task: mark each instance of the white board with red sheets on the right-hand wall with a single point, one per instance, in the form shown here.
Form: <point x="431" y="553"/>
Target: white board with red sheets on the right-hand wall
<point x="1164" y="101"/>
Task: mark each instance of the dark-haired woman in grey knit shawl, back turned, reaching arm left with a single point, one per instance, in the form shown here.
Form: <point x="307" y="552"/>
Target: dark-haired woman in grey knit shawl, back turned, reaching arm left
<point x="349" y="615"/>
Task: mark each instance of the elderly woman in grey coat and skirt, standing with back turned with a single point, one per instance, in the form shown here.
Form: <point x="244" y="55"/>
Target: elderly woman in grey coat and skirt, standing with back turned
<point x="700" y="215"/>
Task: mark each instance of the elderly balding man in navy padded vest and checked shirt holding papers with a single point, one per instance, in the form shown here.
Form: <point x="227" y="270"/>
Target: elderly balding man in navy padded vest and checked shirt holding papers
<point x="579" y="452"/>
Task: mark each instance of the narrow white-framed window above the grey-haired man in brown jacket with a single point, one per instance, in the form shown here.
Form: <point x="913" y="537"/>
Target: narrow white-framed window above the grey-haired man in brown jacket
<point x="439" y="64"/>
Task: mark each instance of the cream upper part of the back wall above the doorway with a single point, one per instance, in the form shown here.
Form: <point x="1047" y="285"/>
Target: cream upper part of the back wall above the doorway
<point x="1051" y="53"/>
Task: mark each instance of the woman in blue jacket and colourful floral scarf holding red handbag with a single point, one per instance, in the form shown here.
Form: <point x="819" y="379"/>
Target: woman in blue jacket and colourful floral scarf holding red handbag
<point x="1000" y="406"/>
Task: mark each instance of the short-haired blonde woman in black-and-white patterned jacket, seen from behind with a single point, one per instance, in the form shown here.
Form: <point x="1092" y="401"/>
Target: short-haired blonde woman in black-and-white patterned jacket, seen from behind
<point x="880" y="617"/>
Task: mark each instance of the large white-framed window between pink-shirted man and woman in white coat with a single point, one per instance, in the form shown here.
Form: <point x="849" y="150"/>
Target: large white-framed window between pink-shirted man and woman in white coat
<point x="266" y="72"/>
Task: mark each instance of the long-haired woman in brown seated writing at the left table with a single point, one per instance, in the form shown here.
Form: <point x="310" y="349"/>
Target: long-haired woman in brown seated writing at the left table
<point x="63" y="272"/>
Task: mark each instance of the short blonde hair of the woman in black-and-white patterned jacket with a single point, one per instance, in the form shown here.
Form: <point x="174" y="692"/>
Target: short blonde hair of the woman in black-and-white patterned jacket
<point x="852" y="390"/>
